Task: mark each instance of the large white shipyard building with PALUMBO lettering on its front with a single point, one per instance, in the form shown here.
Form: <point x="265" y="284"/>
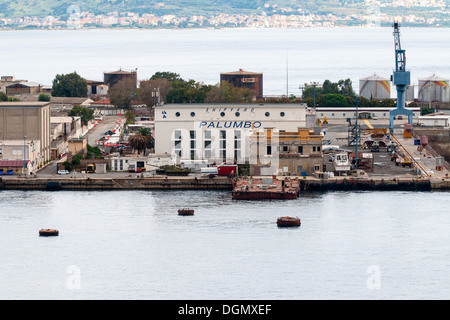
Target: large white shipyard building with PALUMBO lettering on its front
<point x="220" y="132"/>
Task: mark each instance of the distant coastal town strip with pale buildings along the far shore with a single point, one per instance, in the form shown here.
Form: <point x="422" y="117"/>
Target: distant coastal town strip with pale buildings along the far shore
<point x="430" y="13"/>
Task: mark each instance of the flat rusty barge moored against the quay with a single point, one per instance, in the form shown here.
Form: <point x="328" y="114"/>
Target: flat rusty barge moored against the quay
<point x="266" y="188"/>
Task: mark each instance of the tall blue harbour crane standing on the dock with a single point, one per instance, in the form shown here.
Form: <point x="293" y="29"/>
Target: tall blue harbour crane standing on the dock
<point x="401" y="79"/>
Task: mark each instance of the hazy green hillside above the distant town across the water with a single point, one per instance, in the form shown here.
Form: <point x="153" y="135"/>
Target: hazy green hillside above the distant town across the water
<point x="343" y="8"/>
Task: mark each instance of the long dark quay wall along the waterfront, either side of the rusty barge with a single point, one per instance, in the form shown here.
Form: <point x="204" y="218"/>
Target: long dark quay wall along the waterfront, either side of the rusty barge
<point x="187" y="183"/>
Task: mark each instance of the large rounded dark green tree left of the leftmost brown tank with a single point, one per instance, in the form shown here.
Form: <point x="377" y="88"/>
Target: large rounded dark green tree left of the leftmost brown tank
<point x="69" y="85"/>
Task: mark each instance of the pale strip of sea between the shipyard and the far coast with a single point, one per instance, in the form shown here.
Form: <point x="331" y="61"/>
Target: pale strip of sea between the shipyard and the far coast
<point x="287" y="58"/>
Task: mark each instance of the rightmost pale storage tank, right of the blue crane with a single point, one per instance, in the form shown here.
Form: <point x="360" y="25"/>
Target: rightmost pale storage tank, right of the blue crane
<point x="433" y="89"/>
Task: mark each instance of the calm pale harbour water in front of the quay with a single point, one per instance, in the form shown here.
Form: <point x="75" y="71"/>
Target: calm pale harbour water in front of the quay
<point x="134" y="245"/>
